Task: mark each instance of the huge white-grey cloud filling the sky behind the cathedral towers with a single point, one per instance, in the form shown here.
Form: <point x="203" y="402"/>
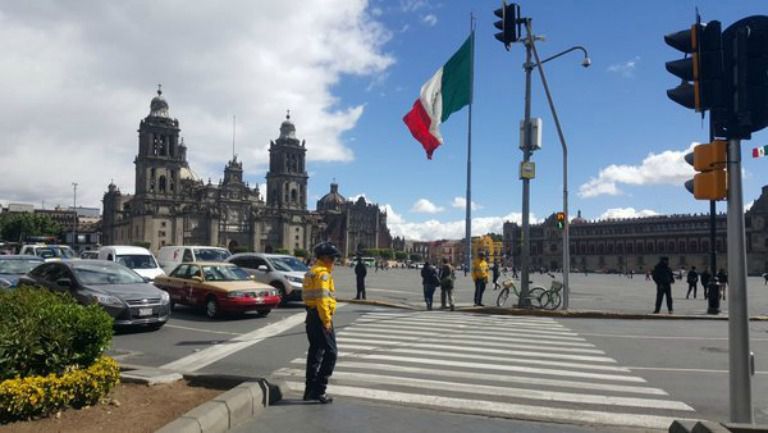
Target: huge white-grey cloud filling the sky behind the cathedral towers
<point x="77" y="79"/>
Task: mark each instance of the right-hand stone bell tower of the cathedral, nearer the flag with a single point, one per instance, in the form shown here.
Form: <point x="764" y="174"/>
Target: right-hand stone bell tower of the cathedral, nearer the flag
<point x="287" y="176"/>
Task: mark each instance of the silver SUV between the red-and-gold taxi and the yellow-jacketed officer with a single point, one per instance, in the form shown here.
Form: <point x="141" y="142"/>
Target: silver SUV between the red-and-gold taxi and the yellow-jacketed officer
<point x="283" y="272"/>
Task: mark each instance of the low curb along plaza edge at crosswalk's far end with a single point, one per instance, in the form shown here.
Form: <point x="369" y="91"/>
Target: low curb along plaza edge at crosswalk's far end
<point x="585" y="314"/>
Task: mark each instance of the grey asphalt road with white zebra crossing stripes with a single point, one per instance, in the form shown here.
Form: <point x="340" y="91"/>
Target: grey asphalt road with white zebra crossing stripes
<point x="686" y="360"/>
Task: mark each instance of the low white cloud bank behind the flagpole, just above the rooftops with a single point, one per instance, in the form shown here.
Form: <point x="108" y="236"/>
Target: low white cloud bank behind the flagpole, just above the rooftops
<point x="433" y="229"/>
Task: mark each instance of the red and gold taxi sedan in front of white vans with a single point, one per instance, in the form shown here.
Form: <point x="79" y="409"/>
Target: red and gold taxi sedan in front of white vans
<point x="219" y="287"/>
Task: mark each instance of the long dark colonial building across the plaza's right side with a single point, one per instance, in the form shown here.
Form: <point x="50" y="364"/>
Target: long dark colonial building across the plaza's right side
<point x="621" y="245"/>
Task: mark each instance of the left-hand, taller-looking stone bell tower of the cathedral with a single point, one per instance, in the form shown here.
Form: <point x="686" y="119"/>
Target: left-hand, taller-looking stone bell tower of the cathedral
<point x="161" y="156"/>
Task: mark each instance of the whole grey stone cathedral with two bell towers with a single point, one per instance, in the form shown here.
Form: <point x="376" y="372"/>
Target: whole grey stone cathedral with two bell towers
<point x="172" y="206"/>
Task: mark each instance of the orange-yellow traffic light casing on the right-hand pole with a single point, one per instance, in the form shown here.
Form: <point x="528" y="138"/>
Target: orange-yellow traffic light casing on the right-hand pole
<point x="710" y="161"/>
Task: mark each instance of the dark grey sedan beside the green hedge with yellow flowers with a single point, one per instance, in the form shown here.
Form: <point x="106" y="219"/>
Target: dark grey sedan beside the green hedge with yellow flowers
<point x="123" y="293"/>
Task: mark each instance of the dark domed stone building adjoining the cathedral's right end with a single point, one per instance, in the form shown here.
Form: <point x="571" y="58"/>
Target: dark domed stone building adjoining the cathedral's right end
<point x="353" y="225"/>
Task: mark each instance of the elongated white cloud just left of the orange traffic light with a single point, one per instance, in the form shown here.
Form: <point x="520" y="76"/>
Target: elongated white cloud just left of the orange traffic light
<point x="667" y="167"/>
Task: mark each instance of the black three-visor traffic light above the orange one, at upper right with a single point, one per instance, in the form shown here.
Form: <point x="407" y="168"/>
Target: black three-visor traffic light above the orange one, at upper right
<point x="702" y="68"/>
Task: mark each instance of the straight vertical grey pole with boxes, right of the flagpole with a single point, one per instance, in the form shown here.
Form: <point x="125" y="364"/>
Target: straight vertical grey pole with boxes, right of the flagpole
<point x="524" y="302"/>
